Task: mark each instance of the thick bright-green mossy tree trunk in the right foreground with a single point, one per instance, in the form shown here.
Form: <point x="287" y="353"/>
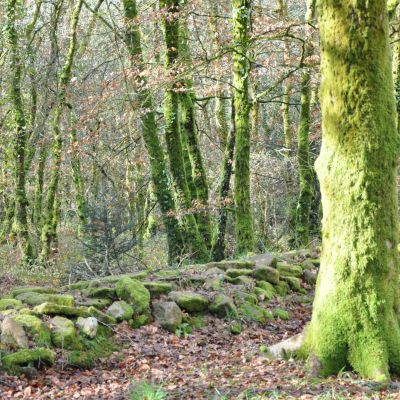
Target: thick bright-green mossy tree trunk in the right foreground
<point x="355" y="313"/>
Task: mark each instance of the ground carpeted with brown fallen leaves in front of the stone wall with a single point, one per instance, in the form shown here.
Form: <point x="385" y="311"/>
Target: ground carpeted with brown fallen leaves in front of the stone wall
<point x="209" y="363"/>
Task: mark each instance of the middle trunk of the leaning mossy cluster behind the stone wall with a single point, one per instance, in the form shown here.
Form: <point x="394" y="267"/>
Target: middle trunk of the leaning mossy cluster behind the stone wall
<point x="170" y="21"/>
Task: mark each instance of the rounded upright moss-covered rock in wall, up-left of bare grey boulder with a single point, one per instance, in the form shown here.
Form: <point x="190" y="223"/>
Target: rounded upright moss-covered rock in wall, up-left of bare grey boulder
<point x="134" y="293"/>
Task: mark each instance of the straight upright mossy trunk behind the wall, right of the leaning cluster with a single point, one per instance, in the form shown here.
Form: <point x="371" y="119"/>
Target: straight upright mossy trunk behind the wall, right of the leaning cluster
<point x="241" y="67"/>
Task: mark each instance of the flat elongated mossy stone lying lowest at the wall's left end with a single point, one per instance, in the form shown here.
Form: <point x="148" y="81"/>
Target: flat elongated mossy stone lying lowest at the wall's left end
<point x="37" y="356"/>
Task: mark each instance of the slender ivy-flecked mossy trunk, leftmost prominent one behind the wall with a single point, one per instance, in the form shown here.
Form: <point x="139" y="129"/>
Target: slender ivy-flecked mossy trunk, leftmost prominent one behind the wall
<point x="20" y="220"/>
